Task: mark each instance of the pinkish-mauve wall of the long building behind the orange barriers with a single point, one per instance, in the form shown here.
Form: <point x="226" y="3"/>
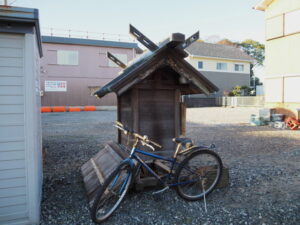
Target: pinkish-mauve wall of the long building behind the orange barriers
<point x="92" y="70"/>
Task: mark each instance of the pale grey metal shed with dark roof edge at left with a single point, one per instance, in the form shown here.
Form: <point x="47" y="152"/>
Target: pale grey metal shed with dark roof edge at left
<point x="20" y="127"/>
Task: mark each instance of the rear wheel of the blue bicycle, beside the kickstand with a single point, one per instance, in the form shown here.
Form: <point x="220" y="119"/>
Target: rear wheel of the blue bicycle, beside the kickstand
<point x="198" y="174"/>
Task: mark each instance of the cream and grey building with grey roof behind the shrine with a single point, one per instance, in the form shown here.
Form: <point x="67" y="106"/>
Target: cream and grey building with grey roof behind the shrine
<point x="225" y="66"/>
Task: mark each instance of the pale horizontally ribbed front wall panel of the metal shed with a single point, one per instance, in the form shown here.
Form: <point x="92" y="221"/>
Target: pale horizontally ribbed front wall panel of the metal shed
<point x="13" y="197"/>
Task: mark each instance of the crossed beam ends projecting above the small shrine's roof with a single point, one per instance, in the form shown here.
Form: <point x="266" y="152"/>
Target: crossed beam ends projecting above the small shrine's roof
<point x="144" y="40"/>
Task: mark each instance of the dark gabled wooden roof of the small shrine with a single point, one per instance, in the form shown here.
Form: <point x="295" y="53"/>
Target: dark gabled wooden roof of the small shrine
<point x="170" y="53"/>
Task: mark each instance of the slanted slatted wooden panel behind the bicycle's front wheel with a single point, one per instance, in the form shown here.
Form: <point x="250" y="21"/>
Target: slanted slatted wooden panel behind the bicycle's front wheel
<point x="99" y="167"/>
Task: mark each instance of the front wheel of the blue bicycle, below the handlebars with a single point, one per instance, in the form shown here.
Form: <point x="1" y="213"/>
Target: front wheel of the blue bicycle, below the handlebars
<point x="112" y="193"/>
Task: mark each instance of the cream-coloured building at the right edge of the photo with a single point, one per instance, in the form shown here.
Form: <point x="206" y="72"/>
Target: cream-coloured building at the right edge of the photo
<point x="282" y="78"/>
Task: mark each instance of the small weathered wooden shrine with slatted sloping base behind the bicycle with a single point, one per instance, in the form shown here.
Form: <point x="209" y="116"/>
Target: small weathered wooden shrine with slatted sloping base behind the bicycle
<point x="149" y="92"/>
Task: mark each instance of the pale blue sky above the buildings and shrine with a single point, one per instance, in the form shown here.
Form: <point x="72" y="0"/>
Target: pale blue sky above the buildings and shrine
<point x="232" y="19"/>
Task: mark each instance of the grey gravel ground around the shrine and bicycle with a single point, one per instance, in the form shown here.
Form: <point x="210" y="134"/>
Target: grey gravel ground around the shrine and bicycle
<point x="264" y="171"/>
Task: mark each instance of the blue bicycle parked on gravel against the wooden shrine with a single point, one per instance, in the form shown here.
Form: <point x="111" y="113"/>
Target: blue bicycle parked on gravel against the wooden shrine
<point x="194" y="177"/>
